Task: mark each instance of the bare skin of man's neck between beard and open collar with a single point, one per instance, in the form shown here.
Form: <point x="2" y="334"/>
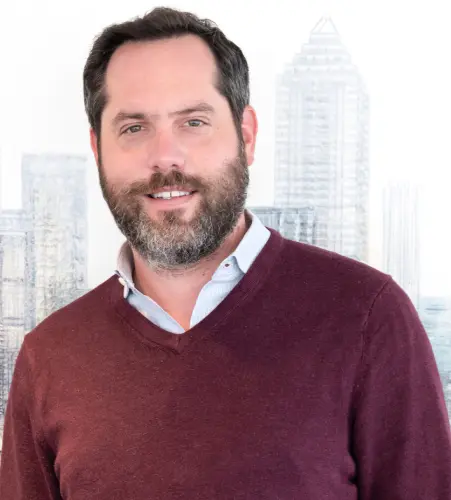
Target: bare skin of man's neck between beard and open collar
<point x="176" y="291"/>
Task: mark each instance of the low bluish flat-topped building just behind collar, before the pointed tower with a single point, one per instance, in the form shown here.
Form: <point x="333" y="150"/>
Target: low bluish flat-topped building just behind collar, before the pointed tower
<point x="298" y="224"/>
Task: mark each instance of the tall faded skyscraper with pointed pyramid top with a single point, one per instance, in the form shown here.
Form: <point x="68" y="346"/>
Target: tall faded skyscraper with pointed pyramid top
<point x="321" y="150"/>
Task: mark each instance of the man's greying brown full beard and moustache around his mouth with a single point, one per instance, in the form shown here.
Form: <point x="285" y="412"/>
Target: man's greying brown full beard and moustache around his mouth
<point x="171" y="242"/>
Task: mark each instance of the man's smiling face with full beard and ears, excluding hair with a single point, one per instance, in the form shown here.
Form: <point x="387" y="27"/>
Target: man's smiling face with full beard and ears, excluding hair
<point x="173" y="168"/>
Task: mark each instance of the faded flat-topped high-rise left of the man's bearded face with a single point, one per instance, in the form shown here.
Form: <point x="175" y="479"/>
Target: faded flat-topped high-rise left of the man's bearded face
<point x="54" y="196"/>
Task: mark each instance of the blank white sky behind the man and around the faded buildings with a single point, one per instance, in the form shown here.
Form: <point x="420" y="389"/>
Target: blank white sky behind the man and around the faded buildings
<point x="400" y="50"/>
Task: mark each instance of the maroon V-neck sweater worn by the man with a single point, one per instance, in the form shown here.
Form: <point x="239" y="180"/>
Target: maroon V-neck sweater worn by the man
<point x="312" y="380"/>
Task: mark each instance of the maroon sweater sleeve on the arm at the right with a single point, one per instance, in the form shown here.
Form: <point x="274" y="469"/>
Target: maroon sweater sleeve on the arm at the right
<point x="401" y="438"/>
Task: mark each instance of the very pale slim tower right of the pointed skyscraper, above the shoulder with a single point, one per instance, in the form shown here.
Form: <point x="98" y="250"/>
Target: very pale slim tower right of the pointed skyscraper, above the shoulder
<point x="401" y="241"/>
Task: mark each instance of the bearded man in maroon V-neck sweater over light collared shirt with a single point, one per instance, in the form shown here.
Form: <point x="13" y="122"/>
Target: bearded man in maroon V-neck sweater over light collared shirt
<point x="221" y="361"/>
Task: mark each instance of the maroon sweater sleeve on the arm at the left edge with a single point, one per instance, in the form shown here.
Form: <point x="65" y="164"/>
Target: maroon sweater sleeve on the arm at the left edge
<point x="26" y="468"/>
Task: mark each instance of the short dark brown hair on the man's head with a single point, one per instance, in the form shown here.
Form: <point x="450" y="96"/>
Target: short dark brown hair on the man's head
<point x="158" y="24"/>
